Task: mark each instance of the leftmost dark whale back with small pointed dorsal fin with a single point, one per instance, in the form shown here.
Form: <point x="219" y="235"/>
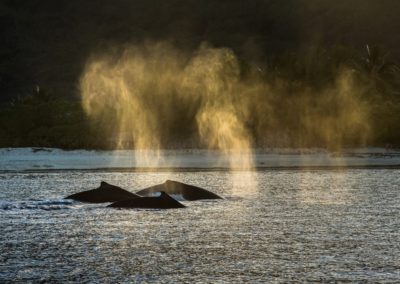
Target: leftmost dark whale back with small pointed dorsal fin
<point x="104" y="193"/>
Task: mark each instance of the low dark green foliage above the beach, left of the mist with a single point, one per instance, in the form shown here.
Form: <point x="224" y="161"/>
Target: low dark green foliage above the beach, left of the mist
<point x="43" y="120"/>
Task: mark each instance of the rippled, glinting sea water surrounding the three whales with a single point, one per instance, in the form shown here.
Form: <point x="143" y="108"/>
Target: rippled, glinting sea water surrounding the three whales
<point x="294" y="226"/>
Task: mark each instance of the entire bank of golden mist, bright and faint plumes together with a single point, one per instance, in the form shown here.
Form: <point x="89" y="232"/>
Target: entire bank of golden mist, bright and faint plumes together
<point x="149" y="94"/>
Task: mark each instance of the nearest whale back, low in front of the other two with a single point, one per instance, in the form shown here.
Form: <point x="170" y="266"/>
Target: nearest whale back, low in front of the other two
<point x="164" y="201"/>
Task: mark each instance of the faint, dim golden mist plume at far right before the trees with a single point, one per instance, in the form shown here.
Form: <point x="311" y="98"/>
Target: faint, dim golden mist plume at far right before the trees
<point x="335" y="115"/>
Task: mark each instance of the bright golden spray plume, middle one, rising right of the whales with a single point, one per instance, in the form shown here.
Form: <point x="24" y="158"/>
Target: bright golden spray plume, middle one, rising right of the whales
<point x="215" y="75"/>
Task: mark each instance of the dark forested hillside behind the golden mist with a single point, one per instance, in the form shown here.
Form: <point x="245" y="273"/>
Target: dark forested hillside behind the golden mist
<point x="304" y="43"/>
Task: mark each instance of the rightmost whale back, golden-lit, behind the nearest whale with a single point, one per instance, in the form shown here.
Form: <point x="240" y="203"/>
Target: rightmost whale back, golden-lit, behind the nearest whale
<point x="187" y="191"/>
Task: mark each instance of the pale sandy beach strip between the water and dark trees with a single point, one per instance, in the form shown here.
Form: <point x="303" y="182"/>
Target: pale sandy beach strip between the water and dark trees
<point x="50" y="159"/>
